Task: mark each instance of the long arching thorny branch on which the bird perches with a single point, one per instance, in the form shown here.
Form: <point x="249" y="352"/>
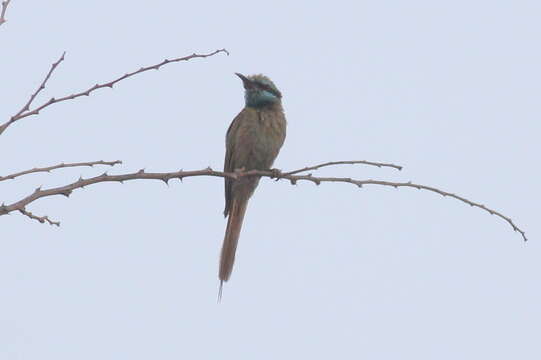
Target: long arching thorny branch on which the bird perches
<point x="165" y="177"/>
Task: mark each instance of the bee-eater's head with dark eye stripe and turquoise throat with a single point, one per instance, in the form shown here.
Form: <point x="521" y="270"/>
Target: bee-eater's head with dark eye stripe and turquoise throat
<point x="259" y="91"/>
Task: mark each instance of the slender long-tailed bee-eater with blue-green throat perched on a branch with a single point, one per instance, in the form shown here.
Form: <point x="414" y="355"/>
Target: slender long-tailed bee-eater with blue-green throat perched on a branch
<point x="253" y="140"/>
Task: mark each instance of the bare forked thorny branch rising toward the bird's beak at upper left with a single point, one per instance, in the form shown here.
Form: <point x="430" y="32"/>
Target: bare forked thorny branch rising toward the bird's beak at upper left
<point x="87" y="92"/>
